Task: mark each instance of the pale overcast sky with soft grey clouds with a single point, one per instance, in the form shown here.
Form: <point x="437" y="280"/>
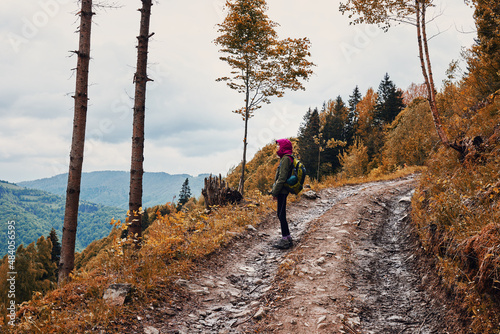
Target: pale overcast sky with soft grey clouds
<point x="189" y="125"/>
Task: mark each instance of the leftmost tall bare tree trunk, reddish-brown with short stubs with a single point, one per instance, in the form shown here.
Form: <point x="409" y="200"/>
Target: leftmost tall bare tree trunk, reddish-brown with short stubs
<point x="67" y="260"/>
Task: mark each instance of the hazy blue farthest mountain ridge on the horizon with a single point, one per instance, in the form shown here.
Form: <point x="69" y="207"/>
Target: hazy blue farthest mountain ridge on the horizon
<point x="112" y="187"/>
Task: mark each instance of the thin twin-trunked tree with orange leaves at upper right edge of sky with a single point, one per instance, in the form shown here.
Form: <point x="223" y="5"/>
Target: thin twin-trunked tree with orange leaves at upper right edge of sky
<point x="386" y="12"/>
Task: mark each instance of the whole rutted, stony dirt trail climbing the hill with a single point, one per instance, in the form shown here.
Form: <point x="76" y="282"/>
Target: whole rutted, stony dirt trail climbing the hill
<point x="354" y="268"/>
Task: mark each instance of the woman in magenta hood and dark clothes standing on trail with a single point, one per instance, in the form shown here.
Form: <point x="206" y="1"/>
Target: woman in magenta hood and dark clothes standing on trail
<point x="280" y="192"/>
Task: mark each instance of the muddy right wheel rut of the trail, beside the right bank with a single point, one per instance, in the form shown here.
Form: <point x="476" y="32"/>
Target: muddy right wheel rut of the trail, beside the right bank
<point x="389" y="287"/>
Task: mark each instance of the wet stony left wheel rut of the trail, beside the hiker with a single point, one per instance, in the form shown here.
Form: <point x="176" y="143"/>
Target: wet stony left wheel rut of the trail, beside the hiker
<point x="231" y="288"/>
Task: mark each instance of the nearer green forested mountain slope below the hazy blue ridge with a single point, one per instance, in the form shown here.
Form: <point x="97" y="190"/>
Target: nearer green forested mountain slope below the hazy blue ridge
<point x="36" y="212"/>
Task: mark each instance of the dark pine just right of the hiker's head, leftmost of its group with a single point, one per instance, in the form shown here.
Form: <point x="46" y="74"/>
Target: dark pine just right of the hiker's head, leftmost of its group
<point x="308" y="150"/>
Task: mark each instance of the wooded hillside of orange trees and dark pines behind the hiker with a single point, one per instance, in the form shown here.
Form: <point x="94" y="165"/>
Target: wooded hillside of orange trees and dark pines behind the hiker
<point x="370" y="135"/>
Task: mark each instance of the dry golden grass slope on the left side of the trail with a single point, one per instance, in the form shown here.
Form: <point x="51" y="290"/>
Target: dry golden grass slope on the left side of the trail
<point x="172" y="246"/>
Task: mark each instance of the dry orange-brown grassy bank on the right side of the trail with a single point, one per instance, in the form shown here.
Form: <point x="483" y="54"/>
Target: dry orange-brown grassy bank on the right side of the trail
<point x="457" y="211"/>
